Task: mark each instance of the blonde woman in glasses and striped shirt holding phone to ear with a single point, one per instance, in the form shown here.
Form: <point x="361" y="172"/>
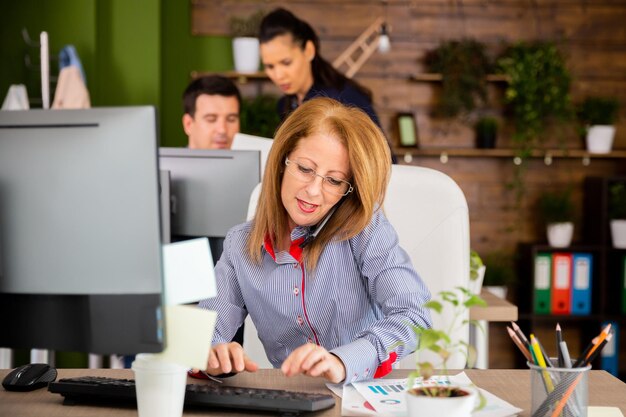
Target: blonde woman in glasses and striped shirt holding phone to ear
<point x="319" y="269"/>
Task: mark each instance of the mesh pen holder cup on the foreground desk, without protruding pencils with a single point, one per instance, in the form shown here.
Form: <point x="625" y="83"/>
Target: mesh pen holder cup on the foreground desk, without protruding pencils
<point x="559" y="392"/>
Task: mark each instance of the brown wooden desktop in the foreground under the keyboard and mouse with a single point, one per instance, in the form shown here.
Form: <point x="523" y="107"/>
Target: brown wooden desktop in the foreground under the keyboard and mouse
<point x="510" y="385"/>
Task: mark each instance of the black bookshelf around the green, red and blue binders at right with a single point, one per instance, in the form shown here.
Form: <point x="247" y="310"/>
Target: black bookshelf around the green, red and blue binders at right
<point x="607" y="276"/>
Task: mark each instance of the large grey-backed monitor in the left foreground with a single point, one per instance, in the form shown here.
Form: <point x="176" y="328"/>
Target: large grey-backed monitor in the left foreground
<point x="80" y="246"/>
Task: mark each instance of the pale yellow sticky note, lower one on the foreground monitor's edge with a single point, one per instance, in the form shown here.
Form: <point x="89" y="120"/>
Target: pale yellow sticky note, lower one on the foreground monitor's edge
<point x="188" y="335"/>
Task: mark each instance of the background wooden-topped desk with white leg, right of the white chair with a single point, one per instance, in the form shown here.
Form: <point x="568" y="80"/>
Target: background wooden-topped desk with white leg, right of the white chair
<point x="497" y="309"/>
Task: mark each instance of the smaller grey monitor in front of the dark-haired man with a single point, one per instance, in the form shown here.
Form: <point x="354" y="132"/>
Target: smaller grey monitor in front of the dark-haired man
<point x="210" y="189"/>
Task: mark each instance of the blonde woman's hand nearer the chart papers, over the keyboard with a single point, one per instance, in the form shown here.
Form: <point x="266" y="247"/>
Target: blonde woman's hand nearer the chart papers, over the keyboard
<point x="314" y="360"/>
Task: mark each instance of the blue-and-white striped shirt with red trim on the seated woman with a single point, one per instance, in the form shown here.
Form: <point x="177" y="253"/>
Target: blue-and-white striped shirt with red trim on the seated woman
<point x="357" y="303"/>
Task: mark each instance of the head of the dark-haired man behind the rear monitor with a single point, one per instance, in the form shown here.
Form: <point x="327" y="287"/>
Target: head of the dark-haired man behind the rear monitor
<point x="212" y="105"/>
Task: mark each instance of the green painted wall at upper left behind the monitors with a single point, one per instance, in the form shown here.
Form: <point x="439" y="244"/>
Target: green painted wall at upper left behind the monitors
<point x="133" y="52"/>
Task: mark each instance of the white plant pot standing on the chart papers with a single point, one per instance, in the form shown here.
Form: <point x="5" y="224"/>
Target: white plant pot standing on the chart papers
<point x="426" y="406"/>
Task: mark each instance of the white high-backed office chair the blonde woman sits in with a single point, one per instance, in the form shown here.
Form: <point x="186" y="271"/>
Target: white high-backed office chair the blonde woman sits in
<point x="429" y="212"/>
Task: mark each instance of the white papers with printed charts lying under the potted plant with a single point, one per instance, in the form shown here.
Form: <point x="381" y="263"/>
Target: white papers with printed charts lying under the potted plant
<point x="386" y="397"/>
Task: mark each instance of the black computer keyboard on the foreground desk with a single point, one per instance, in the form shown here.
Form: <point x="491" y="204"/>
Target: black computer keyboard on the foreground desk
<point x="90" y="389"/>
